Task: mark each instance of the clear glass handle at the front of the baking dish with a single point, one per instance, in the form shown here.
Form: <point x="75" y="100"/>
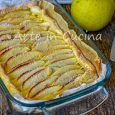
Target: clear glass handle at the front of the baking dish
<point x="83" y="104"/>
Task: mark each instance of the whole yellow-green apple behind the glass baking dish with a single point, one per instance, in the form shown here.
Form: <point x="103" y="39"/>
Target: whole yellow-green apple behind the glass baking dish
<point x="92" y="15"/>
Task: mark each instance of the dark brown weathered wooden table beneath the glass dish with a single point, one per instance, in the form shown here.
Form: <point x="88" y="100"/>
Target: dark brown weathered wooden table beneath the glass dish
<point x="108" y="107"/>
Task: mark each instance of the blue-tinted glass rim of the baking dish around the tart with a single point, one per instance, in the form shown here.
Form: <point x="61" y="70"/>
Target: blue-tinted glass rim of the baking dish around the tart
<point x="70" y="97"/>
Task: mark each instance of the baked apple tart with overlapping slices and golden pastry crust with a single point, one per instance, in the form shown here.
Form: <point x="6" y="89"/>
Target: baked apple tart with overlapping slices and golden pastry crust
<point x="38" y="57"/>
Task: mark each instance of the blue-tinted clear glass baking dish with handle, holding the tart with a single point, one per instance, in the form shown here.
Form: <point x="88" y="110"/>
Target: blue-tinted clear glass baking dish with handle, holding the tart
<point x="96" y="93"/>
